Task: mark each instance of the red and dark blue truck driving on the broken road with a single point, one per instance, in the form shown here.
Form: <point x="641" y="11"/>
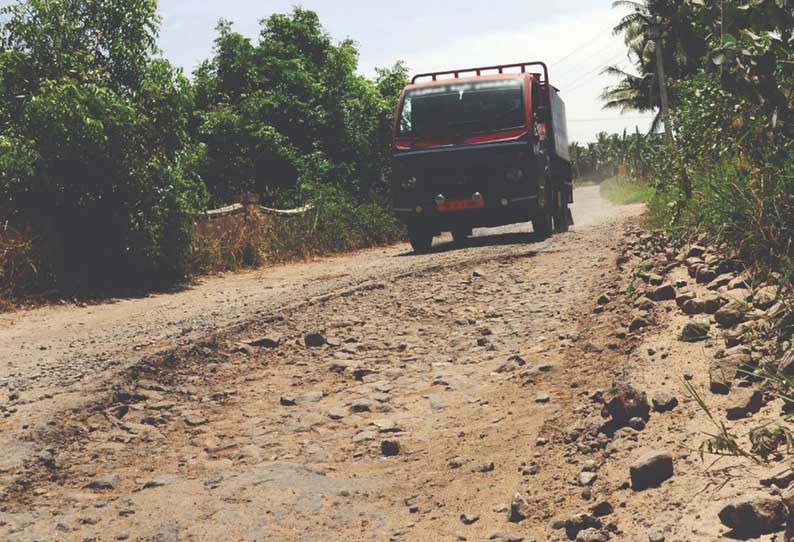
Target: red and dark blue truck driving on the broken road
<point x="481" y="147"/>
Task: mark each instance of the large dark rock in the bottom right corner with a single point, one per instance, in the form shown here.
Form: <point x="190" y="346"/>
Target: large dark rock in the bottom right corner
<point x="754" y="515"/>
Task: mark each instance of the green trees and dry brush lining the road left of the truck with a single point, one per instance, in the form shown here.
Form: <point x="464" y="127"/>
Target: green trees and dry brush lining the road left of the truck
<point x="109" y="155"/>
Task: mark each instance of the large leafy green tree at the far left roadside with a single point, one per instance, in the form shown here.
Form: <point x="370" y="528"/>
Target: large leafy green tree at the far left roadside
<point x="96" y="153"/>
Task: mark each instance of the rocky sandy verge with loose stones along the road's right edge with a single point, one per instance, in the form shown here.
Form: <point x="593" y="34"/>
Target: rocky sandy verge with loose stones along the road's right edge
<point x="685" y="324"/>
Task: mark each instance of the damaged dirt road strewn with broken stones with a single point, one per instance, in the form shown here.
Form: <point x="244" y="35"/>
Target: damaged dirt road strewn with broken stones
<point x="378" y="396"/>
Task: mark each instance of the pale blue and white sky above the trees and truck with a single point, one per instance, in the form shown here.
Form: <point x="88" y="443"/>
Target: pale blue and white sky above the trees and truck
<point x="573" y="36"/>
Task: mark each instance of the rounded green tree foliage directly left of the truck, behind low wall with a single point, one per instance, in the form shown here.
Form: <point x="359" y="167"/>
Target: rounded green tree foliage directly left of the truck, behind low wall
<point x="285" y="115"/>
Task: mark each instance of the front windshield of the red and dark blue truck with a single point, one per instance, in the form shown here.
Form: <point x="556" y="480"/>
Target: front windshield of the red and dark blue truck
<point x="463" y="108"/>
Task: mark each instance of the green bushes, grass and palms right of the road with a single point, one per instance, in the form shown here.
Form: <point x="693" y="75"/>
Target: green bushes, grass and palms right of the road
<point x="725" y="173"/>
